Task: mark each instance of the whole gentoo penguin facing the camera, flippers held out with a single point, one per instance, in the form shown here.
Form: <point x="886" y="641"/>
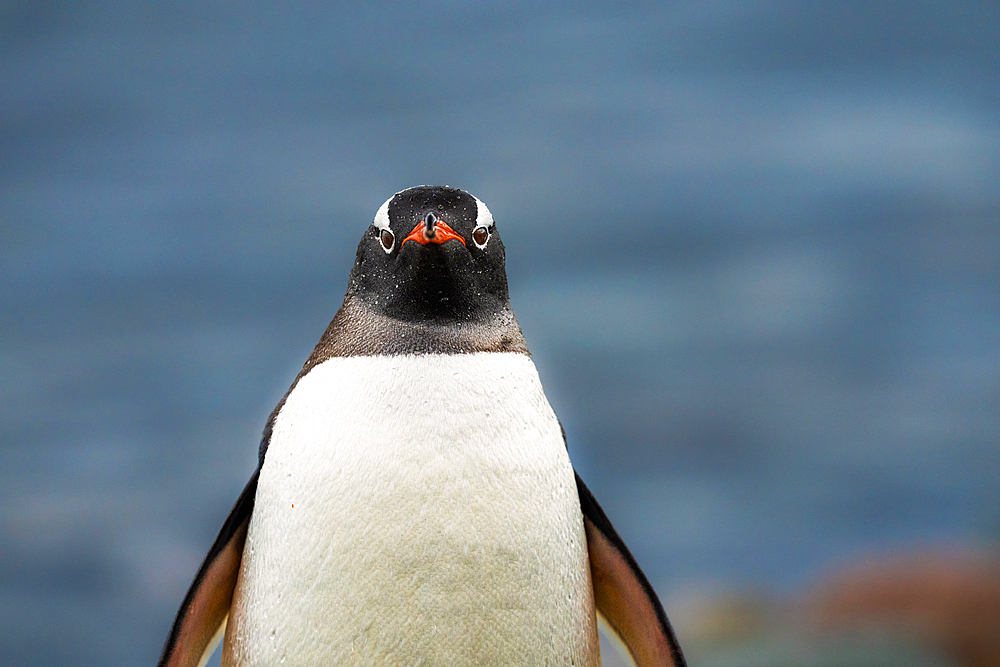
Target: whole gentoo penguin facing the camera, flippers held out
<point x="414" y="501"/>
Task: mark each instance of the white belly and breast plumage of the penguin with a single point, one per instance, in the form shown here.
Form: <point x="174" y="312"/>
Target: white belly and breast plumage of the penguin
<point x="414" y="510"/>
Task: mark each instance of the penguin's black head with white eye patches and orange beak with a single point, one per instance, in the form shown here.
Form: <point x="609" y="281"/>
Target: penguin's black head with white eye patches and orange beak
<point x="431" y="254"/>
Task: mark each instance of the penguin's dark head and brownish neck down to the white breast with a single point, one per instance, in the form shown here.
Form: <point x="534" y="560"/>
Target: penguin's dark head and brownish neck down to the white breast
<point x="429" y="278"/>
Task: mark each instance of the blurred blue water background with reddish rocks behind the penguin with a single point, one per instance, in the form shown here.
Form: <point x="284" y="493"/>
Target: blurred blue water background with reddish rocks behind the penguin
<point x="753" y="247"/>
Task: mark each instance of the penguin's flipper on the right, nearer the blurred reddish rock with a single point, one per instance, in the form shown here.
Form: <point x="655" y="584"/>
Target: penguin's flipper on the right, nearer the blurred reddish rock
<point x="622" y="593"/>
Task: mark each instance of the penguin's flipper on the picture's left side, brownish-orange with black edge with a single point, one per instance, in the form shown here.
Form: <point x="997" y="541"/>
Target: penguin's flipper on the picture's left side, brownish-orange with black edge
<point x="202" y="616"/>
